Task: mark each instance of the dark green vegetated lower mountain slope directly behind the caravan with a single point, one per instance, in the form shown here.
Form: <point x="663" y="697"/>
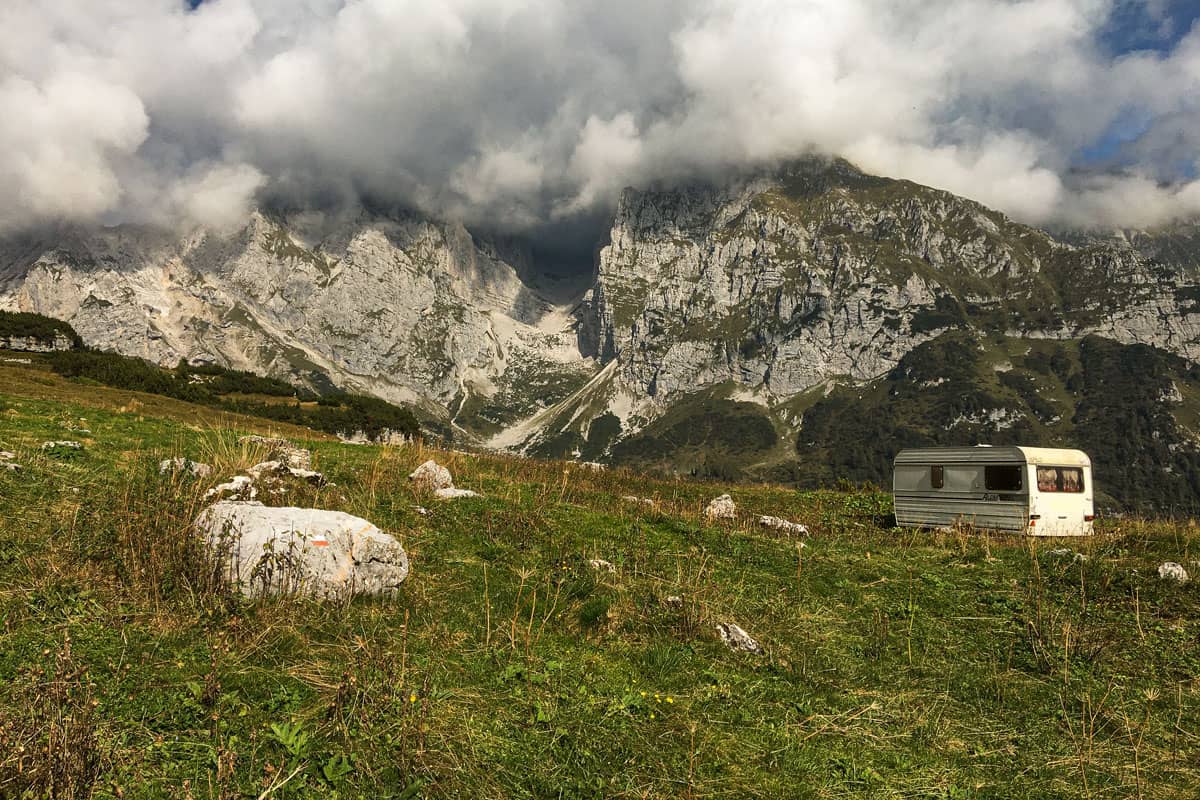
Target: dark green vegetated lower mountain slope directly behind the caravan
<point x="1130" y="407"/>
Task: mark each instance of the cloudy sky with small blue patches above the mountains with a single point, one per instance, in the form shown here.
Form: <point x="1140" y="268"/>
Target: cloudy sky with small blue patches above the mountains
<point x="519" y="115"/>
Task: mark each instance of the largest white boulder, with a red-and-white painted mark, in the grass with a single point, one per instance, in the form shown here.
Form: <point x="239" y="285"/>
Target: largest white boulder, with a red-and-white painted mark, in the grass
<point x="286" y="551"/>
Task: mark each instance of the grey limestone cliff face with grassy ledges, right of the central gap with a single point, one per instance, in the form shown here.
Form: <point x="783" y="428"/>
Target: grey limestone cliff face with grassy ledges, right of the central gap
<point x="825" y="272"/>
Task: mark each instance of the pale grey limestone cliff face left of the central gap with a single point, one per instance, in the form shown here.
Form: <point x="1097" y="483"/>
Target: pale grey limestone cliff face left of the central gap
<point x="407" y="310"/>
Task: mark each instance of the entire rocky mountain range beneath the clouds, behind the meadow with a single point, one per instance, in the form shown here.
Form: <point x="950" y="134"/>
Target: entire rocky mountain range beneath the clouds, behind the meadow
<point x="797" y="327"/>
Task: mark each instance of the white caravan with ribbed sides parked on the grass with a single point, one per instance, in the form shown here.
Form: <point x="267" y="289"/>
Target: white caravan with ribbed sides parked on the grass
<point x="1040" y="491"/>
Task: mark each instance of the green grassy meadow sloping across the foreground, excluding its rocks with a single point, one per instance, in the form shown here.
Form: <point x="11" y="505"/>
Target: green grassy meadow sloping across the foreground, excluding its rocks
<point x="898" y="664"/>
